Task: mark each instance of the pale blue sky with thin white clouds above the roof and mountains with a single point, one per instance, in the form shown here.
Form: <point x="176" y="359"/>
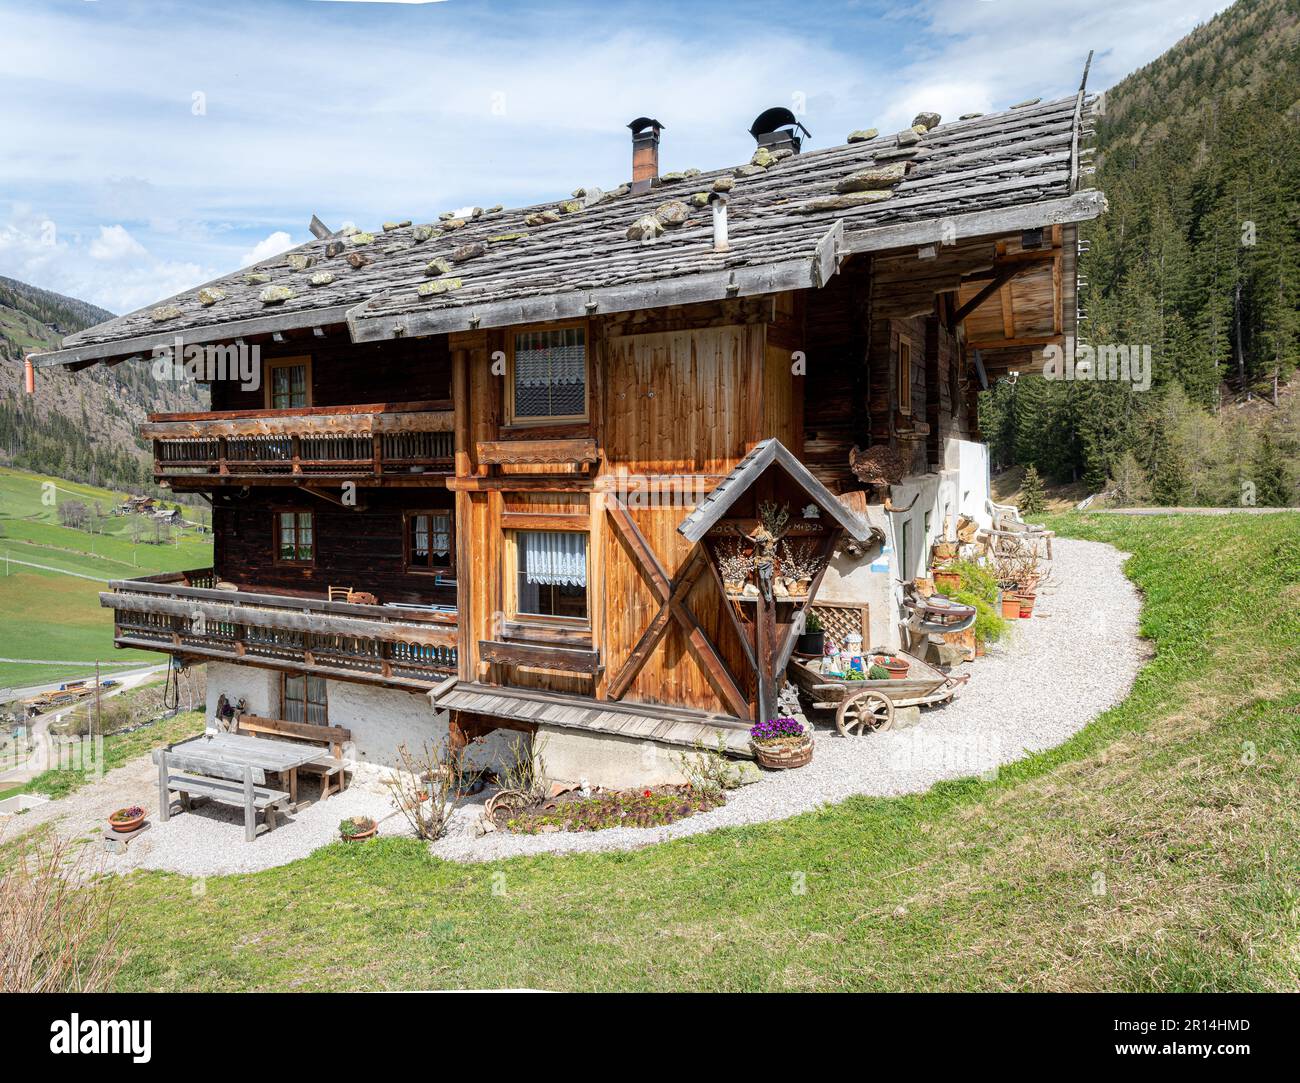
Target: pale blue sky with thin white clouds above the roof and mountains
<point x="153" y="146"/>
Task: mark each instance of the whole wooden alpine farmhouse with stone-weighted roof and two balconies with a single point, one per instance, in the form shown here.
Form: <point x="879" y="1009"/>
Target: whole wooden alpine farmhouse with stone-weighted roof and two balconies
<point x="489" y="470"/>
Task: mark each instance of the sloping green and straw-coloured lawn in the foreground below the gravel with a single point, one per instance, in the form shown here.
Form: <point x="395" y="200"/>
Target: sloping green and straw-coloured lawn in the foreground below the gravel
<point x="1155" y="851"/>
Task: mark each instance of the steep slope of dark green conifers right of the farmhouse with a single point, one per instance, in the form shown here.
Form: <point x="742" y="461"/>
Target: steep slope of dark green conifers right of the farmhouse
<point x="1198" y="258"/>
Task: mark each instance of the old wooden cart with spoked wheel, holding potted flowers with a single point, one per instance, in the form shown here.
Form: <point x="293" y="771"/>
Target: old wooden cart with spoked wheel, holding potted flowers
<point x="868" y="707"/>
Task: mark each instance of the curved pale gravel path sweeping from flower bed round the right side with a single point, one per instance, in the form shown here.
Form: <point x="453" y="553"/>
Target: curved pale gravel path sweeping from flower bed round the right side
<point x="1077" y="657"/>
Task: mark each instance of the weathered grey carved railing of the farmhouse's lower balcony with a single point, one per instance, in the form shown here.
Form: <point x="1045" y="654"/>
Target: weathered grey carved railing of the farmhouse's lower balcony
<point x="185" y="614"/>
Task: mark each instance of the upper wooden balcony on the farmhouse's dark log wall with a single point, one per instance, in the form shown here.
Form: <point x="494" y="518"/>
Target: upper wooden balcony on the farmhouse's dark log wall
<point x="382" y="444"/>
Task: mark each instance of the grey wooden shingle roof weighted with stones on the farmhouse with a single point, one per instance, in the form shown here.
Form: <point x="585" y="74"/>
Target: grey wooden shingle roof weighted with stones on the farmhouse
<point x="790" y="227"/>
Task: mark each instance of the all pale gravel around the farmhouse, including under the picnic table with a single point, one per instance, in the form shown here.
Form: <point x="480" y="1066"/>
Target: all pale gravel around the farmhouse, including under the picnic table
<point x="1076" y="659"/>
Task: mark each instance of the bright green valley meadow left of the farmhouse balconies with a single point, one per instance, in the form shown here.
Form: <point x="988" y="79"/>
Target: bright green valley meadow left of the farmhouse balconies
<point x="53" y="612"/>
